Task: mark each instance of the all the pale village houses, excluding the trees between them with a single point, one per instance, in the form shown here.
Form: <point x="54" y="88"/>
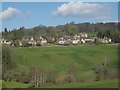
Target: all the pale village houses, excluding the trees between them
<point x="76" y="39"/>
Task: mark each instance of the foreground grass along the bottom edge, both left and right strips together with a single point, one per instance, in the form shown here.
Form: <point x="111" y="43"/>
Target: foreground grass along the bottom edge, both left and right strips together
<point x="98" y="84"/>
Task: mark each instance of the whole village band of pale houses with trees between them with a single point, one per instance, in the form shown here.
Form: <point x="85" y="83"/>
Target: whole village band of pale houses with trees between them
<point x="81" y="38"/>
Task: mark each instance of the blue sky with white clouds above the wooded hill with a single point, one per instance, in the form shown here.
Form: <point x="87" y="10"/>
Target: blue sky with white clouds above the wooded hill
<point x="31" y="14"/>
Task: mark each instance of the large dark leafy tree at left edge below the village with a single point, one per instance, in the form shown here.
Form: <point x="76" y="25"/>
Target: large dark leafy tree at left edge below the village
<point x="8" y="63"/>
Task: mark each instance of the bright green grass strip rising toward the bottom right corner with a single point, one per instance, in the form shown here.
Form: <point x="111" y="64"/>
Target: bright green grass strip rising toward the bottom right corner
<point x="99" y="84"/>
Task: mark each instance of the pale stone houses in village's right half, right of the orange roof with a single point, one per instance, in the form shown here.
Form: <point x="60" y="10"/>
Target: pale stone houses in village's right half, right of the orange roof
<point x="81" y="38"/>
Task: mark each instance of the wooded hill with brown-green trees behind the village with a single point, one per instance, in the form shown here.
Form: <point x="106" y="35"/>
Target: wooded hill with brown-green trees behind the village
<point x="59" y="31"/>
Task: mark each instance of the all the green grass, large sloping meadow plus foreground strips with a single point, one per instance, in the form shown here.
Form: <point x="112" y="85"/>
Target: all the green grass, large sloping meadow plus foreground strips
<point x="60" y="57"/>
